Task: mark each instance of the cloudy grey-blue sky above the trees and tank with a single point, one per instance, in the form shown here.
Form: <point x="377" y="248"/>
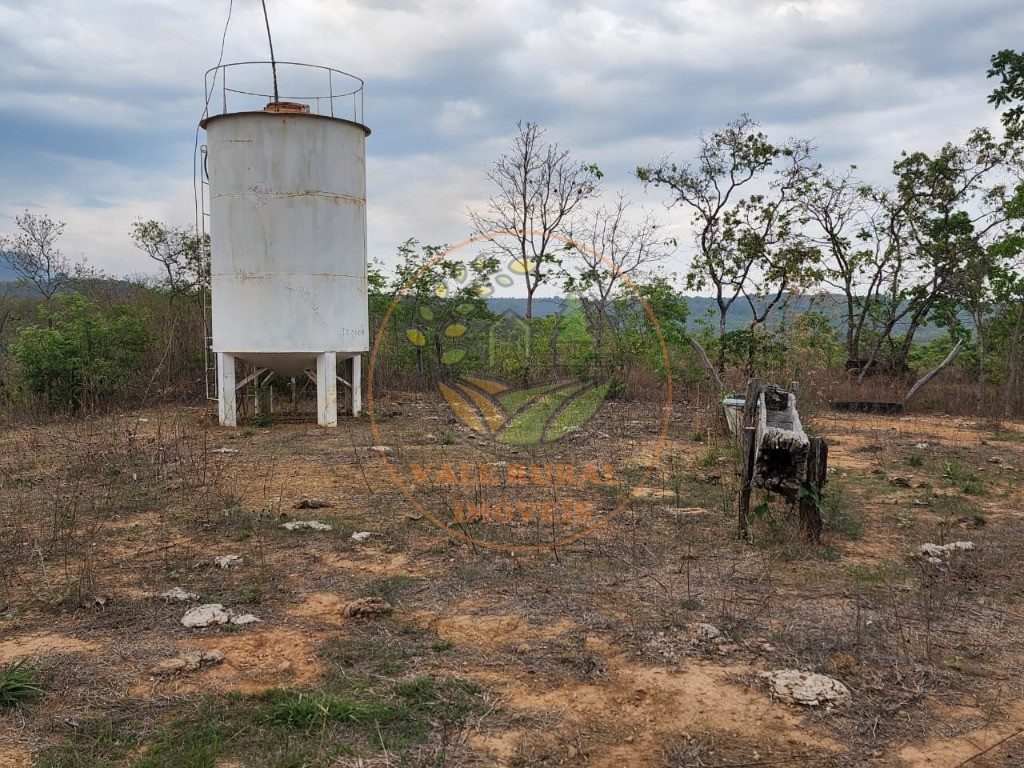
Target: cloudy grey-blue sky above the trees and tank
<point x="101" y="100"/>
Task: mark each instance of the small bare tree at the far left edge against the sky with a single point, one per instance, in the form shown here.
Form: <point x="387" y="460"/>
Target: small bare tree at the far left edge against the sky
<point x="34" y="257"/>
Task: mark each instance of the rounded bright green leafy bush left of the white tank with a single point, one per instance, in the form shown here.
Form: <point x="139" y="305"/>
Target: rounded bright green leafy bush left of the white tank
<point x="84" y="355"/>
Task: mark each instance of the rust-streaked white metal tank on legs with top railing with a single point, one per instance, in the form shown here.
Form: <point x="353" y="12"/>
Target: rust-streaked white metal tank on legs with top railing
<point x="287" y="201"/>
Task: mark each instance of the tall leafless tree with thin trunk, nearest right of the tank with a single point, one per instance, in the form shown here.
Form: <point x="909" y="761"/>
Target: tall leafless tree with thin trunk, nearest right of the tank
<point x="539" y="186"/>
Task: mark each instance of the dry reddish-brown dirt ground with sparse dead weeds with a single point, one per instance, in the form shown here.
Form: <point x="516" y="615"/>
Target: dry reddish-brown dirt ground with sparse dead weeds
<point x="589" y="654"/>
